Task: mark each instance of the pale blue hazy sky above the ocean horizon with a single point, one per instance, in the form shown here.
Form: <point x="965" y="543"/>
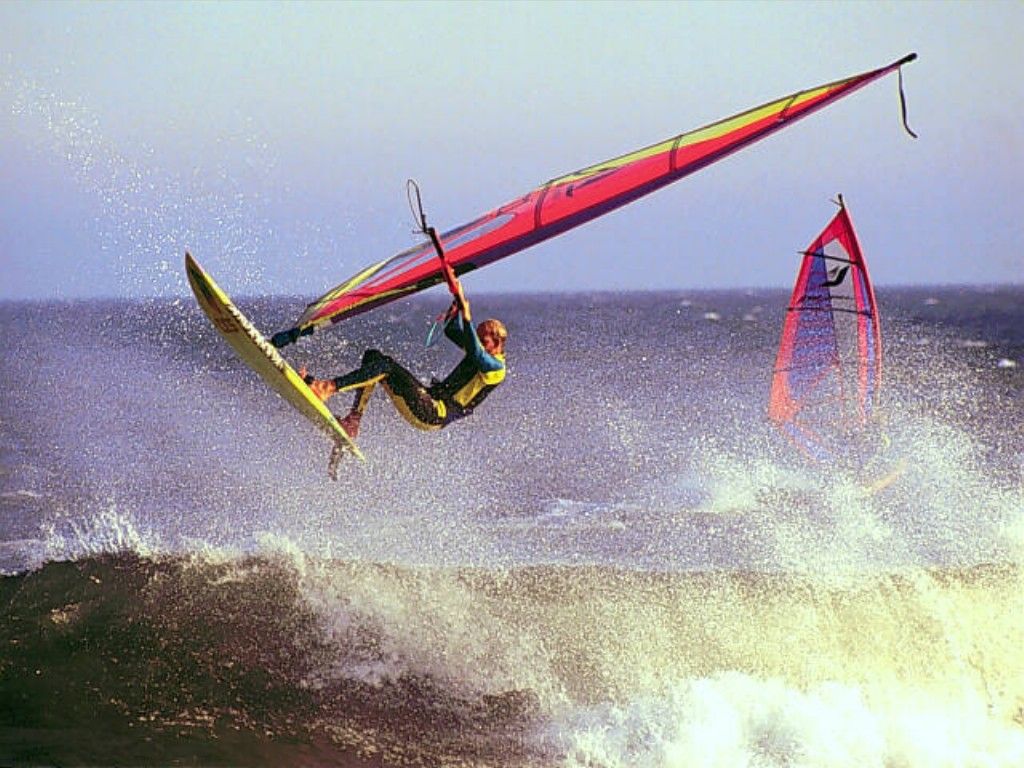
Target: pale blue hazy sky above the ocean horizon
<point x="274" y="141"/>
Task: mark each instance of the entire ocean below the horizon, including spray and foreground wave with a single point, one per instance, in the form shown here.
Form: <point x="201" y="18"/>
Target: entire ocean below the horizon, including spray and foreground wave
<point x="616" y="563"/>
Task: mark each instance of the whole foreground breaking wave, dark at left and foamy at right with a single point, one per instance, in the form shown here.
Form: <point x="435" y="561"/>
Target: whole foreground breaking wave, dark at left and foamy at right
<point x="283" y="661"/>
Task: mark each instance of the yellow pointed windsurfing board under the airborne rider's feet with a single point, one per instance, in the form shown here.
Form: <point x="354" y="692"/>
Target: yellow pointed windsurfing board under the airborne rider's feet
<point x="263" y="358"/>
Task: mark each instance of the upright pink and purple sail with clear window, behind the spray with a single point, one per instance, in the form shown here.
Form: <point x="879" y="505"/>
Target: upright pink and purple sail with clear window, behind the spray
<point x="829" y="368"/>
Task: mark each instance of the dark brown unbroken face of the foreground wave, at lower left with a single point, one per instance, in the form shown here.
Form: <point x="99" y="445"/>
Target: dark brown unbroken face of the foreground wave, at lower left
<point x="118" y="661"/>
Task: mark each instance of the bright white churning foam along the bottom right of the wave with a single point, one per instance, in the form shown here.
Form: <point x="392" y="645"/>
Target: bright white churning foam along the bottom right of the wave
<point x="736" y="719"/>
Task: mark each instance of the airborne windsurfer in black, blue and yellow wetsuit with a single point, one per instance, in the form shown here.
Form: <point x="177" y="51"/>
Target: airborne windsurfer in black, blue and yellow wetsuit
<point x="437" y="406"/>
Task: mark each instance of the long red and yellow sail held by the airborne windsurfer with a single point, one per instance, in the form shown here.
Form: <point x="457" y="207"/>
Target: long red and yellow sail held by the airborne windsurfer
<point x="570" y="201"/>
